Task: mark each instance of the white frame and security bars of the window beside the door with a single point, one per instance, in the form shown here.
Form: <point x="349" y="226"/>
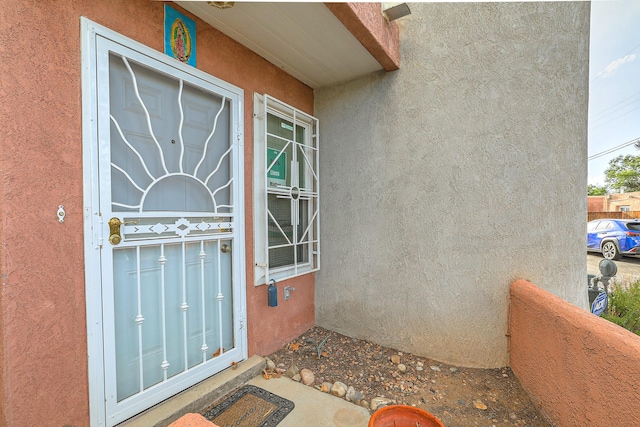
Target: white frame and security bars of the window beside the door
<point x="265" y="105"/>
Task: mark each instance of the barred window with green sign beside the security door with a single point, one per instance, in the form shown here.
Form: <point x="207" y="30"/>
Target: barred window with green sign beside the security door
<point x="286" y="210"/>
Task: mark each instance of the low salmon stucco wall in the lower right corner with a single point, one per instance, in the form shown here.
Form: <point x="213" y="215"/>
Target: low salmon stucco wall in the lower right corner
<point x="579" y="369"/>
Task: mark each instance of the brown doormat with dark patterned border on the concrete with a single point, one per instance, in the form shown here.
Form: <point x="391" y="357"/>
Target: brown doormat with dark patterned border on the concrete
<point x="250" y="406"/>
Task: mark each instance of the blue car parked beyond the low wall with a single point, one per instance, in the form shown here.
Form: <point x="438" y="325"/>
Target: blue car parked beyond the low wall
<point x="614" y="237"/>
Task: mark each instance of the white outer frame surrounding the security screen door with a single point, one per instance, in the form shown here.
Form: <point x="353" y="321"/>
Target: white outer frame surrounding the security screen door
<point x="94" y="224"/>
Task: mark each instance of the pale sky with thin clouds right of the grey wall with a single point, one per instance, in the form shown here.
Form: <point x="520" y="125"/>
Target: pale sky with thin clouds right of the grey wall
<point x="614" y="83"/>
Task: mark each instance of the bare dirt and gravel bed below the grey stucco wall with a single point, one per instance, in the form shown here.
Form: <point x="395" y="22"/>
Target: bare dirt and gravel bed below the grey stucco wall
<point x="460" y="397"/>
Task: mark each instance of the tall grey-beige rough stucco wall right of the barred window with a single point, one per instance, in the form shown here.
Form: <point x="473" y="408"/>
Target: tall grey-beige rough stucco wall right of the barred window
<point x="443" y="182"/>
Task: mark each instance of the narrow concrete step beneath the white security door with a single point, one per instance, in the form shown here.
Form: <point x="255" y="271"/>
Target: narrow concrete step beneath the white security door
<point x="198" y="397"/>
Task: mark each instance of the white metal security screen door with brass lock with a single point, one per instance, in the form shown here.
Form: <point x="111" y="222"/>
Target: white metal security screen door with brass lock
<point x="169" y="226"/>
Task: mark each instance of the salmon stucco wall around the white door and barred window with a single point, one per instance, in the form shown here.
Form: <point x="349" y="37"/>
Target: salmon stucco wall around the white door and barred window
<point x="43" y="351"/>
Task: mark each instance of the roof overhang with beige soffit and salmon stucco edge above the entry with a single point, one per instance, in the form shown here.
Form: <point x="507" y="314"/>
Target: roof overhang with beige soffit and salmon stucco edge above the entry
<point x="319" y="44"/>
